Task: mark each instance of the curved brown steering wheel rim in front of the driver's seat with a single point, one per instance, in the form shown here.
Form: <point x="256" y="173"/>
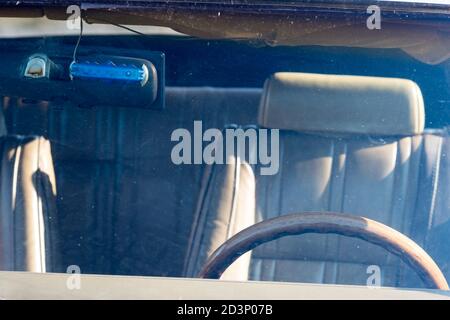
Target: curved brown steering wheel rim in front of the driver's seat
<point x="326" y="222"/>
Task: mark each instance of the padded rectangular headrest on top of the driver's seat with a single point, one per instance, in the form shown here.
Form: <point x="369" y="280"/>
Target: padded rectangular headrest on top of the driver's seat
<point x="342" y="104"/>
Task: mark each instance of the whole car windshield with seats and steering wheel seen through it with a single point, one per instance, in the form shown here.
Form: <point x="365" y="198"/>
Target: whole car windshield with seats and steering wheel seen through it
<point x="300" y="141"/>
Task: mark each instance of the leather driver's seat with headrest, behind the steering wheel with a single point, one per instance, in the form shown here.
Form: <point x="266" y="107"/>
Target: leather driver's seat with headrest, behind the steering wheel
<point x="348" y="144"/>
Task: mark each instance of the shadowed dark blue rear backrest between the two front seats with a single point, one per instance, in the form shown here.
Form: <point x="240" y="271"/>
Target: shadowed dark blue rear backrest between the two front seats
<point x="123" y="205"/>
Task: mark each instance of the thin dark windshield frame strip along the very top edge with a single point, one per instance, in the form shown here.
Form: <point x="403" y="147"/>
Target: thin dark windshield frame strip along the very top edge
<point x="331" y="7"/>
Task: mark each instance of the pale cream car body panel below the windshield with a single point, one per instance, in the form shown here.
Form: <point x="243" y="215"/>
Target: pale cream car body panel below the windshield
<point x="22" y="285"/>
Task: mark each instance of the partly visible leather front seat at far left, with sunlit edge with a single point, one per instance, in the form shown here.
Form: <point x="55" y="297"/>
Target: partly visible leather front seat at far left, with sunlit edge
<point x="27" y="205"/>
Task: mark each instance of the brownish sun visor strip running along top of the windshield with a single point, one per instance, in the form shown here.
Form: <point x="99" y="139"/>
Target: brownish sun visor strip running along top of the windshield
<point x="429" y="43"/>
